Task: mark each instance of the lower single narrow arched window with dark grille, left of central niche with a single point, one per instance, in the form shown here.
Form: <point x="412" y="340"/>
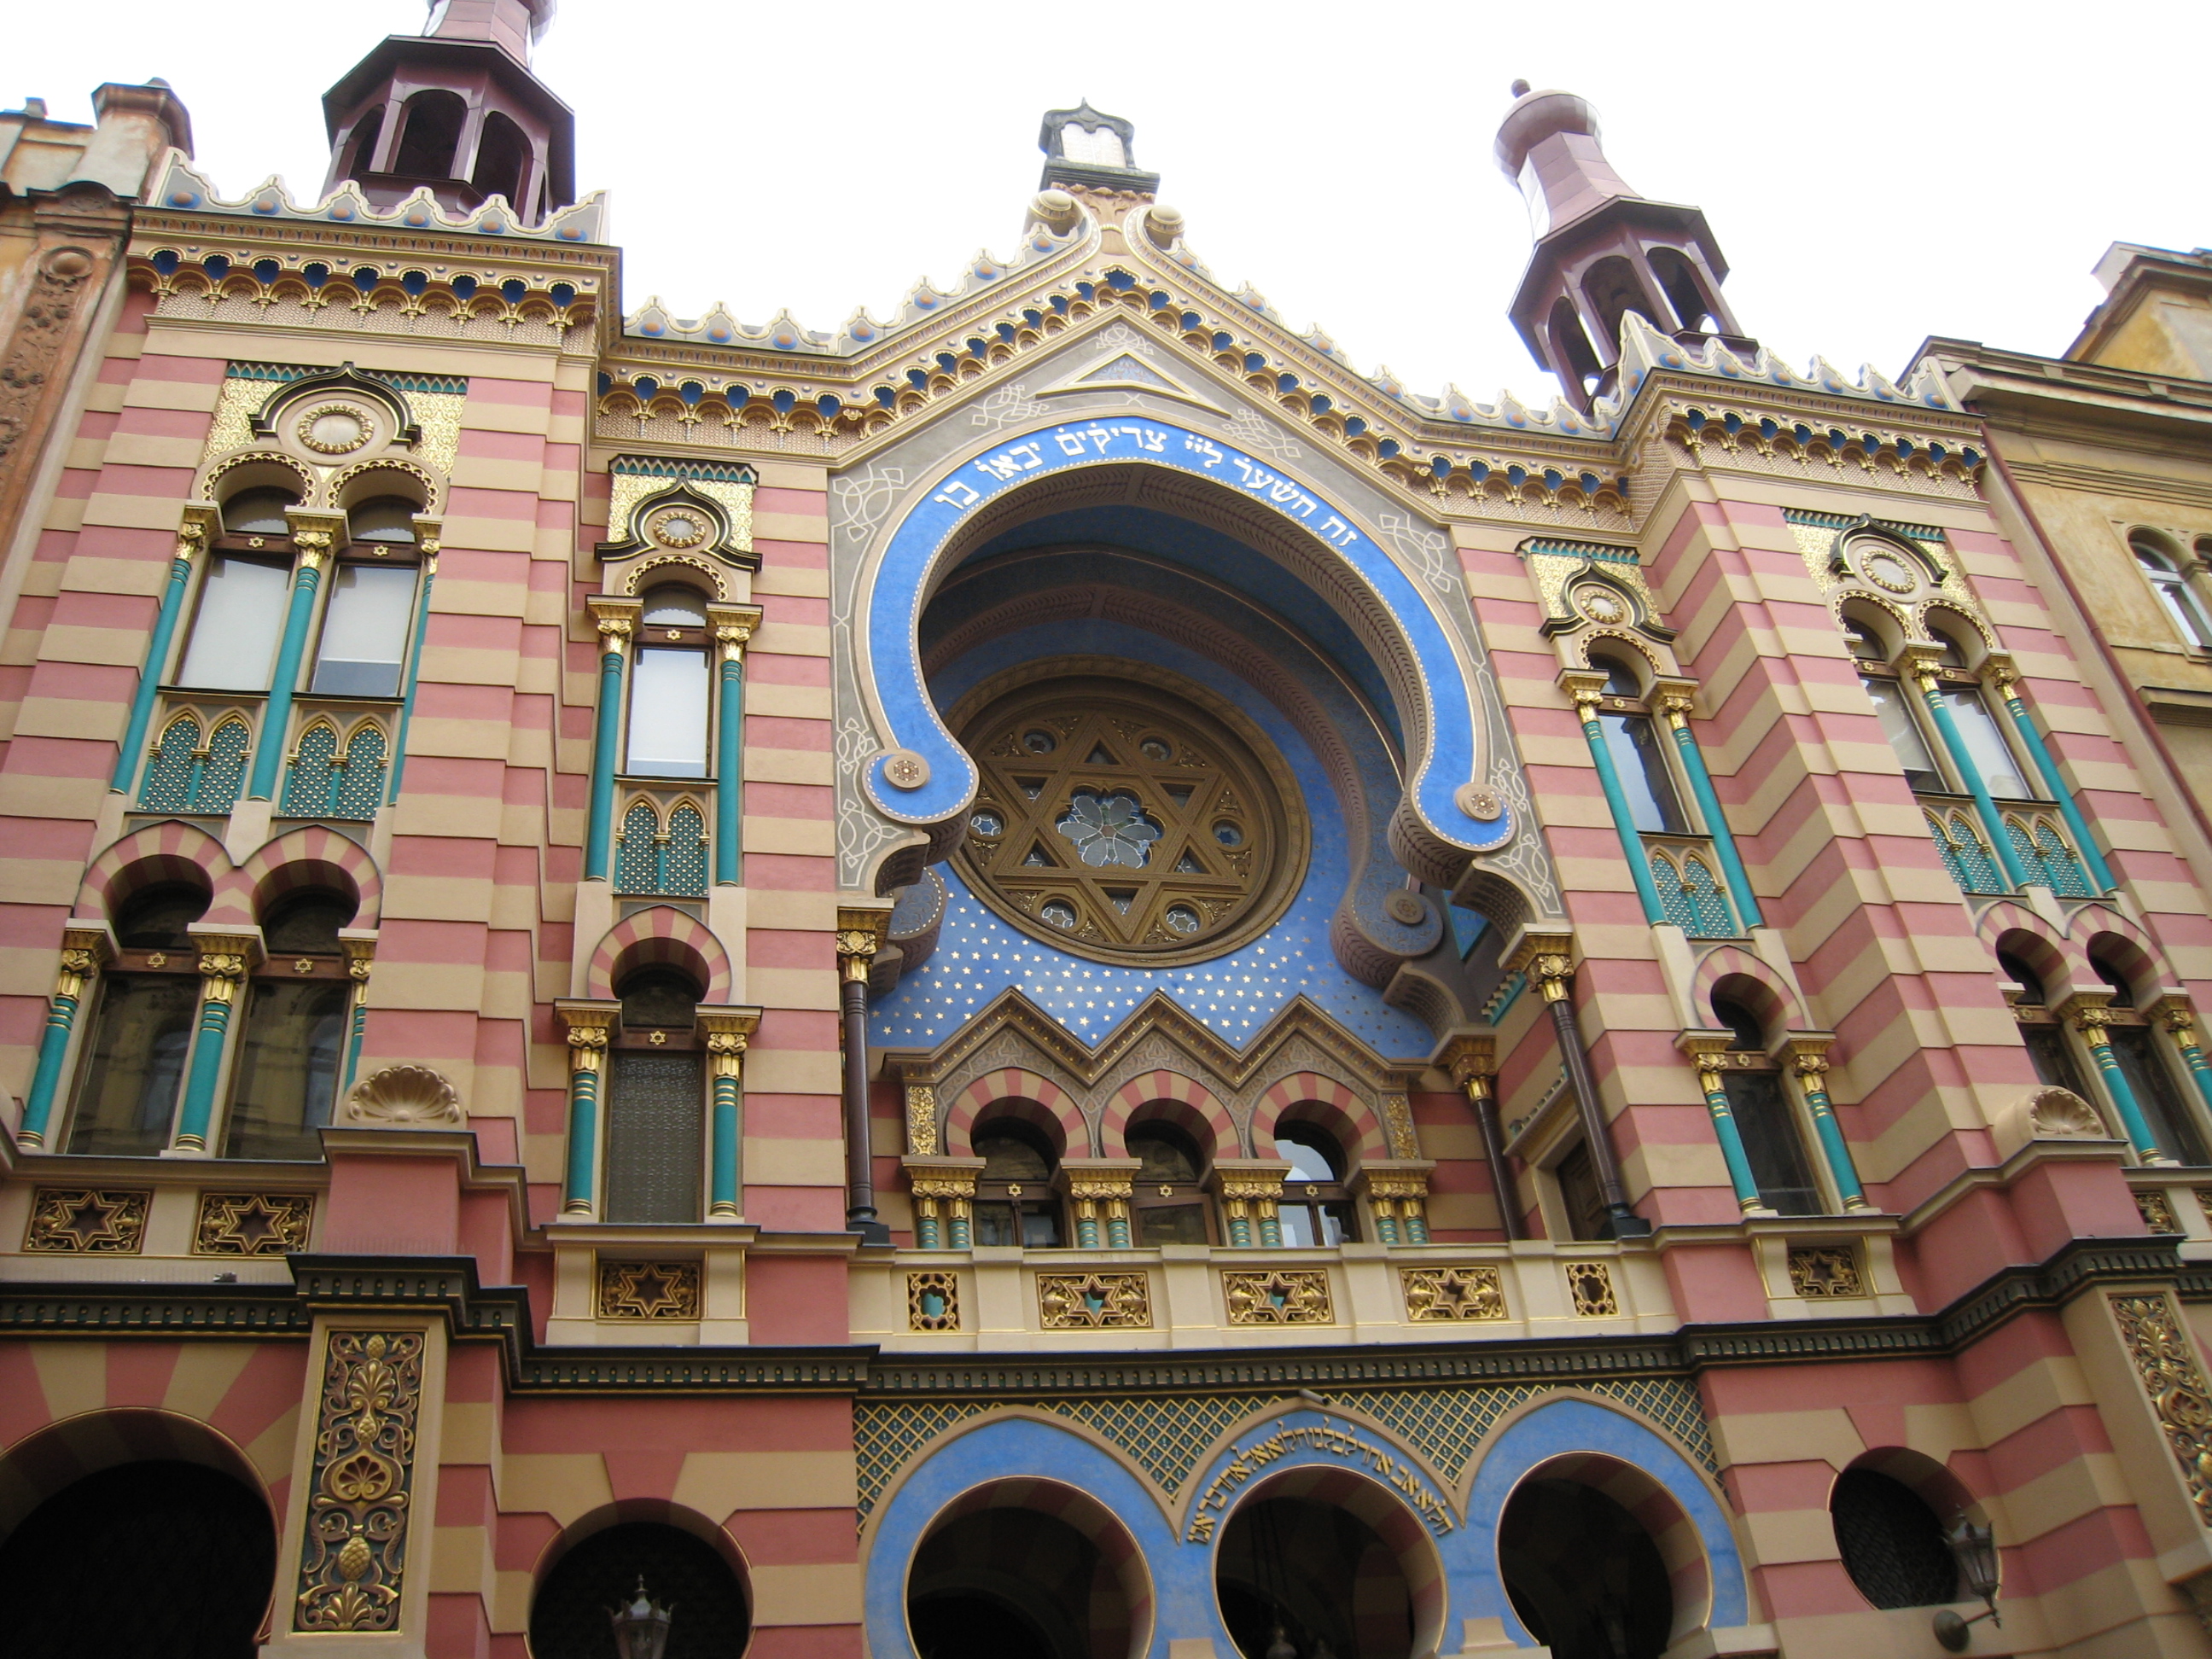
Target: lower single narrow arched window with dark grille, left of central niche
<point x="656" y="1100"/>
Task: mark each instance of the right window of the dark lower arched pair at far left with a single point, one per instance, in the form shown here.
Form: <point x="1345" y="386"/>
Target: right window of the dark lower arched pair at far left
<point x="293" y="1039"/>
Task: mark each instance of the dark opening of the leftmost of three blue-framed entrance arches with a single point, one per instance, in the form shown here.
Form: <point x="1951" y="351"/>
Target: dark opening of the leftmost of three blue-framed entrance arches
<point x="1027" y="1569"/>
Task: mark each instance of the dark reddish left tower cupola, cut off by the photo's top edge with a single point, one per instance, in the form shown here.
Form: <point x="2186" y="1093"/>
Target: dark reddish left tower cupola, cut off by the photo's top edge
<point x="457" y="109"/>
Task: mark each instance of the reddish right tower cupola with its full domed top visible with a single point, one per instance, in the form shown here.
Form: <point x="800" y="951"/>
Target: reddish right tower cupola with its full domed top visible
<point x="1600" y="249"/>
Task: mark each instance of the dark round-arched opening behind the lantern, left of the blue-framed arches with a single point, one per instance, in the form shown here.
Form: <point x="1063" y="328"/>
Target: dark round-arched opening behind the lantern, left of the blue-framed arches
<point x="682" y="1572"/>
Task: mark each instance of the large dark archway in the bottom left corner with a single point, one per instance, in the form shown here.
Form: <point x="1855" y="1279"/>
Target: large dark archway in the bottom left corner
<point x="194" y="1550"/>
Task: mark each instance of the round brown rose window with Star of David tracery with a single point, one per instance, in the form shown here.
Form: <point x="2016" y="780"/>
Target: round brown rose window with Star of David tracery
<point x="1125" y="824"/>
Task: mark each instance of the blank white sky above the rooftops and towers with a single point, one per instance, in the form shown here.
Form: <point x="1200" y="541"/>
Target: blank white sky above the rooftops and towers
<point x="1877" y="174"/>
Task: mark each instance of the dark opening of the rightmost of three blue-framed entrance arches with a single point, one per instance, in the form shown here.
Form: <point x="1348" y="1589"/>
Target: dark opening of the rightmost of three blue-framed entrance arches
<point x="1600" y="1563"/>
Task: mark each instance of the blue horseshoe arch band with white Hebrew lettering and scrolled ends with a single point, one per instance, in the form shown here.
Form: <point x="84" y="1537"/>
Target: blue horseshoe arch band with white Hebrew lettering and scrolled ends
<point x="926" y="780"/>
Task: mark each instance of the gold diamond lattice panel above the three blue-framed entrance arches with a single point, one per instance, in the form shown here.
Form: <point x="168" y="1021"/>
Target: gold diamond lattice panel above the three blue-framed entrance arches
<point x="1169" y="1434"/>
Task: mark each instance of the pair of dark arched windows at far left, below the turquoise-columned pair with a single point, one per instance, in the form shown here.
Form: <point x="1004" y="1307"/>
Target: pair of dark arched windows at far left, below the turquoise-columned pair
<point x="278" y="1061"/>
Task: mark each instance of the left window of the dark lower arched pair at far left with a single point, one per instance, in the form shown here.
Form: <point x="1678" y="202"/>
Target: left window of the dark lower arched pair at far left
<point x="145" y="1025"/>
